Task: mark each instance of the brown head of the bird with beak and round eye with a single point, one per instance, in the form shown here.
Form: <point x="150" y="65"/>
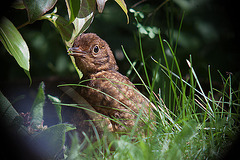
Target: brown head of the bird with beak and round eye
<point x="92" y="54"/>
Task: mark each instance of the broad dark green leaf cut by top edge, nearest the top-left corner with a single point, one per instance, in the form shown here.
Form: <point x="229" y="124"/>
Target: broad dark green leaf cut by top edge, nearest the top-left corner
<point x="38" y="8"/>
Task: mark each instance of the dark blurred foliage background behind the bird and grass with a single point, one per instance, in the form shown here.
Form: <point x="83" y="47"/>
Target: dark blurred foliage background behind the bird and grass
<point x="209" y="33"/>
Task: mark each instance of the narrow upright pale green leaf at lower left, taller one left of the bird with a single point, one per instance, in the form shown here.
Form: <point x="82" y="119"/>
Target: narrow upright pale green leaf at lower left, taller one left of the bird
<point x="37" y="107"/>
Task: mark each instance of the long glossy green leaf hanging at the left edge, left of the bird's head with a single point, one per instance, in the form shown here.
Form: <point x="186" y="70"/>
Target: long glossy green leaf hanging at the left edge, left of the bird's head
<point x="14" y="43"/>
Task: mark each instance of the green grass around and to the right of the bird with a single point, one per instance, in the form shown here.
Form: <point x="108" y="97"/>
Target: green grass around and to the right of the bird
<point x="194" y="125"/>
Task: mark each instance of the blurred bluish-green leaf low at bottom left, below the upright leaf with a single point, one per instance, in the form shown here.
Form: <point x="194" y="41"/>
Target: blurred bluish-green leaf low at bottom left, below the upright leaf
<point x="52" y="139"/>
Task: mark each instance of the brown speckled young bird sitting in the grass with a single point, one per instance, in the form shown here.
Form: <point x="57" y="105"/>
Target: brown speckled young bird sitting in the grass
<point x="109" y="92"/>
